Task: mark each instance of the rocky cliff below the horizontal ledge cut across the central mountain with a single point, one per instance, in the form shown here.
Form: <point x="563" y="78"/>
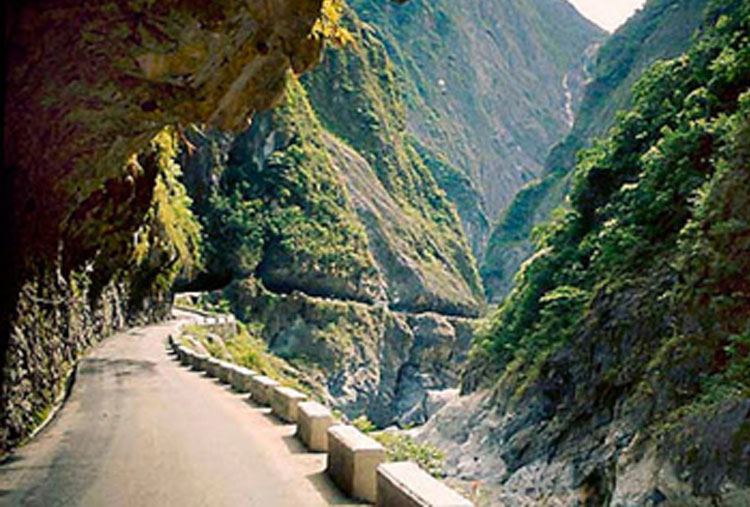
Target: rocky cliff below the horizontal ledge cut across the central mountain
<point x="392" y="367"/>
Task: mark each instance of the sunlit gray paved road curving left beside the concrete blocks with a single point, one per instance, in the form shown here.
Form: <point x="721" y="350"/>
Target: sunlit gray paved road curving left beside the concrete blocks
<point x="141" y="430"/>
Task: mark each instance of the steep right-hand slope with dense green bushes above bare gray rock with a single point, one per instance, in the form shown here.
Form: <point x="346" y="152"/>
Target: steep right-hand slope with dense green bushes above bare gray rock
<point x="617" y="371"/>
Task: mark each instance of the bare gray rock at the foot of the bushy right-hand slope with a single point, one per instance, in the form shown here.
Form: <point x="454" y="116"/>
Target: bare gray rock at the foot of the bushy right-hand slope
<point x="522" y="455"/>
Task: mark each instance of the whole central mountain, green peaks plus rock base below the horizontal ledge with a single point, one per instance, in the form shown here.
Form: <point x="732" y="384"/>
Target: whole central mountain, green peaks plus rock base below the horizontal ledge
<point x="342" y="252"/>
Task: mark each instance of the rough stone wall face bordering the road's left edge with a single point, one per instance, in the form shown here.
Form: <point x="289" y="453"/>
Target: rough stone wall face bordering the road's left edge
<point x="54" y="324"/>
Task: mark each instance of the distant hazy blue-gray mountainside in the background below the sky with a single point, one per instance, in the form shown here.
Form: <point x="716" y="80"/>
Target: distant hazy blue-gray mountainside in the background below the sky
<point x="485" y="88"/>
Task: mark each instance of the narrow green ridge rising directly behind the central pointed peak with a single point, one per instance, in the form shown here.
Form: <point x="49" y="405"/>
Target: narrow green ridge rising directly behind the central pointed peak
<point x="365" y="109"/>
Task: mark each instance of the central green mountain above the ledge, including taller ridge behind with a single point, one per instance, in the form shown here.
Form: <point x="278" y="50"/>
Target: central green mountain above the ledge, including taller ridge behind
<point x="278" y="201"/>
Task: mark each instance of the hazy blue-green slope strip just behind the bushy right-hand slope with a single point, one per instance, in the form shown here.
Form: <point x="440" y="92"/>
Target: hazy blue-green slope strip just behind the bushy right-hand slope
<point x="661" y="30"/>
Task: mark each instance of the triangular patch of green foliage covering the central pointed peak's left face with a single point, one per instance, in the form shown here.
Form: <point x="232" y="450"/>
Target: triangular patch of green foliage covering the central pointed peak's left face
<point x="290" y="206"/>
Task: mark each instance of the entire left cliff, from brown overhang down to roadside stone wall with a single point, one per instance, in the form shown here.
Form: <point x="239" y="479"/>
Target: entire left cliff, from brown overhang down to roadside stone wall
<point x="87" y="172"/>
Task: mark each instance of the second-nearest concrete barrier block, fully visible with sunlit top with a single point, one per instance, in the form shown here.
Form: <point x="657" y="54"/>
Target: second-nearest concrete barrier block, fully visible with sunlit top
<point x="353" y="459"/>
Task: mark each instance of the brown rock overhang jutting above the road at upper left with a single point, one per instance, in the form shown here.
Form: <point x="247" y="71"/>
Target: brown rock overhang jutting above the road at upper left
<point x="90" y="84"/>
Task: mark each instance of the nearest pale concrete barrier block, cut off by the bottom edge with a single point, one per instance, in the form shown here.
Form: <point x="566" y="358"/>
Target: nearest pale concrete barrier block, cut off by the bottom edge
<point x="404" y="484"/>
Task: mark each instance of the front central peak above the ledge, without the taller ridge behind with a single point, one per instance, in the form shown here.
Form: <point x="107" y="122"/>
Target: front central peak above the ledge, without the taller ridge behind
<point x="301" y="210"/>
